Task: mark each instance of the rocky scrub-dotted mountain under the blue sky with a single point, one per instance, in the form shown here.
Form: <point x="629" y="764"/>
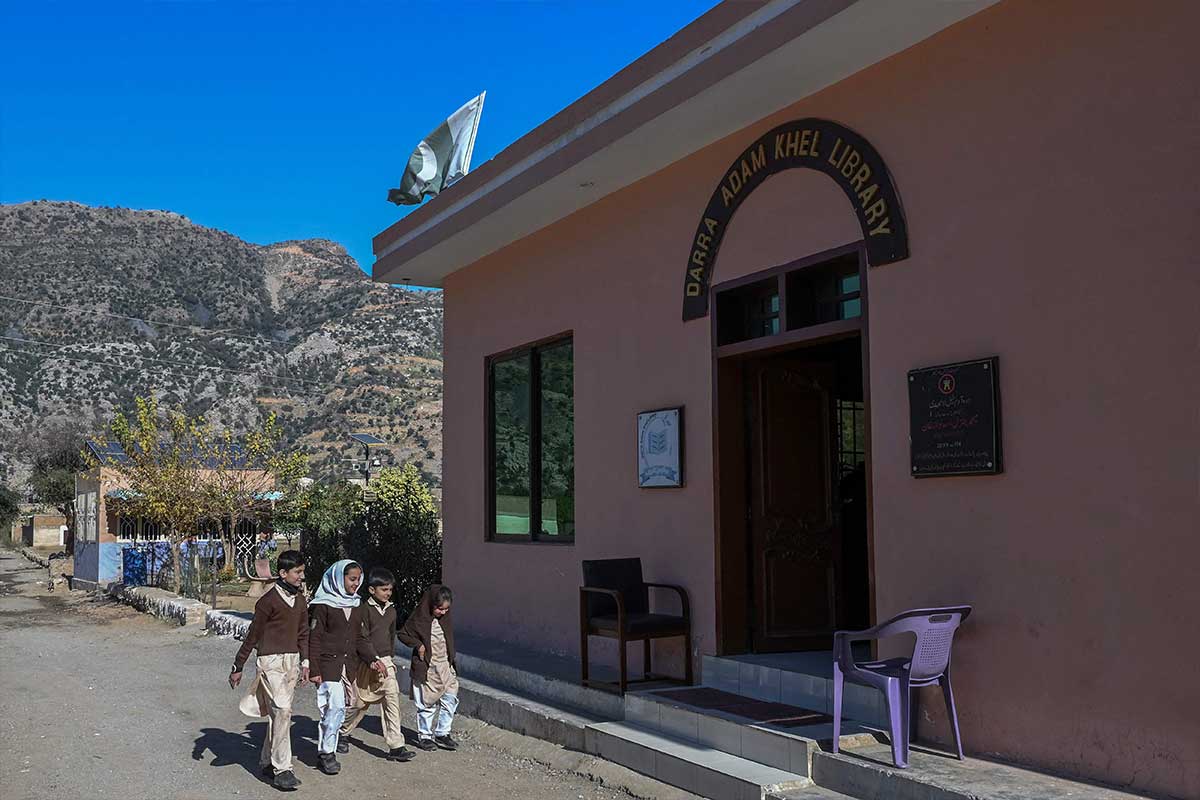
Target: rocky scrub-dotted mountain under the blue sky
<point x="99" y="305"/>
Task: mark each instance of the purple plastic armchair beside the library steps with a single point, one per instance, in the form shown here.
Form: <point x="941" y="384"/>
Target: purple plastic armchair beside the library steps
<point x="931" y="664"/>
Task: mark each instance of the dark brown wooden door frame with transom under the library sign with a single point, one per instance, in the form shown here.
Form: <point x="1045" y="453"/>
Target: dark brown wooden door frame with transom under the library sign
<point x="730" y="476"/>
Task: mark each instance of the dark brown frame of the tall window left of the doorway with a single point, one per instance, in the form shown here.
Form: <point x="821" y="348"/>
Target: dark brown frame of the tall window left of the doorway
<point x="533" y="350"/>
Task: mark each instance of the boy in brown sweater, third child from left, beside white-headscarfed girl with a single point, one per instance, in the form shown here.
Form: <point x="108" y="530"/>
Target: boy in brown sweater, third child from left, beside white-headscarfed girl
<point x="376" y="679"/>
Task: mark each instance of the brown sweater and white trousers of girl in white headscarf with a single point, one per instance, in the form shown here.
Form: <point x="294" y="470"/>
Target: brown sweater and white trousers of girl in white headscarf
<point x="333" y="646"/>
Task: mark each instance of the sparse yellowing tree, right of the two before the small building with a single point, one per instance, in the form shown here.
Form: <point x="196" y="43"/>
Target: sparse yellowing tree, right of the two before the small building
<point x="242" y="474"/>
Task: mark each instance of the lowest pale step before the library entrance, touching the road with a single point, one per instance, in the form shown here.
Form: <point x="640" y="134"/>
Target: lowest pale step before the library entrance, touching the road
<point x="691" y="767"/>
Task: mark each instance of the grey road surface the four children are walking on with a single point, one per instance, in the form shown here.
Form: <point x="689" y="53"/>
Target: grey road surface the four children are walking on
<point x="99" y="701"/>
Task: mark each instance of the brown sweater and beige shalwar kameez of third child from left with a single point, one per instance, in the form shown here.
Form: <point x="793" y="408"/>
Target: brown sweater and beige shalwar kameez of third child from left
<point x="377" y="642"/>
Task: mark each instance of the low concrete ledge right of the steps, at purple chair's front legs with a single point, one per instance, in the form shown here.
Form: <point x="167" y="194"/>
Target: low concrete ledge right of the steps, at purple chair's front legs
<point x="867" y="773"/>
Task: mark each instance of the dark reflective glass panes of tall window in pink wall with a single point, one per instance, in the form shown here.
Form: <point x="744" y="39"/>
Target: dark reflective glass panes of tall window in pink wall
<point x="533" y="444"/>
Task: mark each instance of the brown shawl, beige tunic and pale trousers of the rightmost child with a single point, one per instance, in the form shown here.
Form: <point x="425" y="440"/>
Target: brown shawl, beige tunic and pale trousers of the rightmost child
<point x="435" y="683"/>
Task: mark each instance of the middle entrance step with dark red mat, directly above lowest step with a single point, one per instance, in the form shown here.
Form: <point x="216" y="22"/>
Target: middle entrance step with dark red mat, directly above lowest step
<point x="775" y="736"/>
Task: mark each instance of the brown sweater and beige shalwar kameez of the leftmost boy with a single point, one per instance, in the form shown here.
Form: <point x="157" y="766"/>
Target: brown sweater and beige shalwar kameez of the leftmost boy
<point x="280" y="634"/>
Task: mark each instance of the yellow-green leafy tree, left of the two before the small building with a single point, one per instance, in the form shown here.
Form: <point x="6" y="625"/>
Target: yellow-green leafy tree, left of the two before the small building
<point x="161" y="472"/>
